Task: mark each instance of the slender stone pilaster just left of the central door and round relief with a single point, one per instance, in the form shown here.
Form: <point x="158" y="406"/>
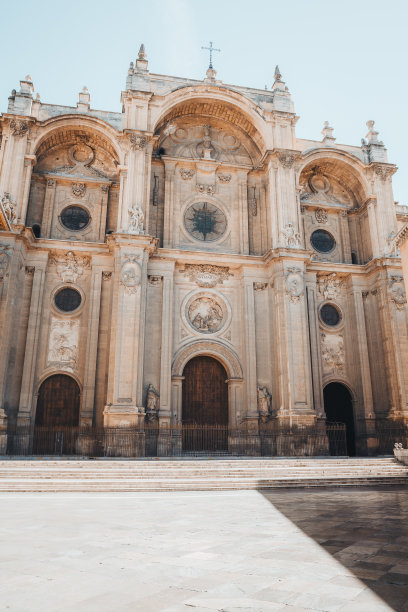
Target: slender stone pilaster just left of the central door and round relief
<point x="166" y="346"/>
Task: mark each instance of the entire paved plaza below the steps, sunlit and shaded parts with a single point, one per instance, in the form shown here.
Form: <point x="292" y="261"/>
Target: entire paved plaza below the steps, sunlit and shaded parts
<point x="293" y="550"/>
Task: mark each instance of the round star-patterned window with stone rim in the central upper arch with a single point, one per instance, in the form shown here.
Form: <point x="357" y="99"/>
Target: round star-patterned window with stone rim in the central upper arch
<point x="204" y="221"/>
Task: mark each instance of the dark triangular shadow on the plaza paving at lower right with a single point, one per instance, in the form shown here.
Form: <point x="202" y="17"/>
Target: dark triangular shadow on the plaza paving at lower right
<point x="365" y="529"/>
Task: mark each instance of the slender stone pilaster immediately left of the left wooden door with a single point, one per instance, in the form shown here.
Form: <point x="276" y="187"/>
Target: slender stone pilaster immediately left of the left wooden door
<point x="25" y="411"/>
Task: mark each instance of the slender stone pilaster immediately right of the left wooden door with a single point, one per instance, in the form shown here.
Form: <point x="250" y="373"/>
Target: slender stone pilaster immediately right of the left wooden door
<point x="88" y="394"/>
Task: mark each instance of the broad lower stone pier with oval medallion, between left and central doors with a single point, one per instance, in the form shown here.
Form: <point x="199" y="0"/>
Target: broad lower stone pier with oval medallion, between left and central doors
<point x="125" y="384"/>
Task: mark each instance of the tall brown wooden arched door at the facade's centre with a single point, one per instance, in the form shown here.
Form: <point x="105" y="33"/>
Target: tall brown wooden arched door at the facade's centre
<point x="205" y="405"/>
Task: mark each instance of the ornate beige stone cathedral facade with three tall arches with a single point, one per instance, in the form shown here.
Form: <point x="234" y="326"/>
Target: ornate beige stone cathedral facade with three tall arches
<point x="190" y="260"/>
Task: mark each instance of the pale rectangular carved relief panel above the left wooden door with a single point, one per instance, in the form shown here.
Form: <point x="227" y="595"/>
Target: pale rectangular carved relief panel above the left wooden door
<point x="63" y="344"/>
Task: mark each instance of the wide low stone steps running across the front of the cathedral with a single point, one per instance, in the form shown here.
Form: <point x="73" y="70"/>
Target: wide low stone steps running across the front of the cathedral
<point x="120" y="475"/>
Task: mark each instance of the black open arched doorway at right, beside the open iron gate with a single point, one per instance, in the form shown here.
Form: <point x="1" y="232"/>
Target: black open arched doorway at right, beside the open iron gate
<point x="338" y="407"/>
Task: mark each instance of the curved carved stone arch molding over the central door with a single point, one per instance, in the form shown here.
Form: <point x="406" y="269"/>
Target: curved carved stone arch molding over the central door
<point x="212" y="348"/>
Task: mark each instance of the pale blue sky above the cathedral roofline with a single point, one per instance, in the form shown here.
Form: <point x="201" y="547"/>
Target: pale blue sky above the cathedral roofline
<point x="343" y="61"/>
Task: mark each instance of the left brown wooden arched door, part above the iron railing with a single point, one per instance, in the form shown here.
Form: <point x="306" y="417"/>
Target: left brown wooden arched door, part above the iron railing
<point x="58" y="402"/>
